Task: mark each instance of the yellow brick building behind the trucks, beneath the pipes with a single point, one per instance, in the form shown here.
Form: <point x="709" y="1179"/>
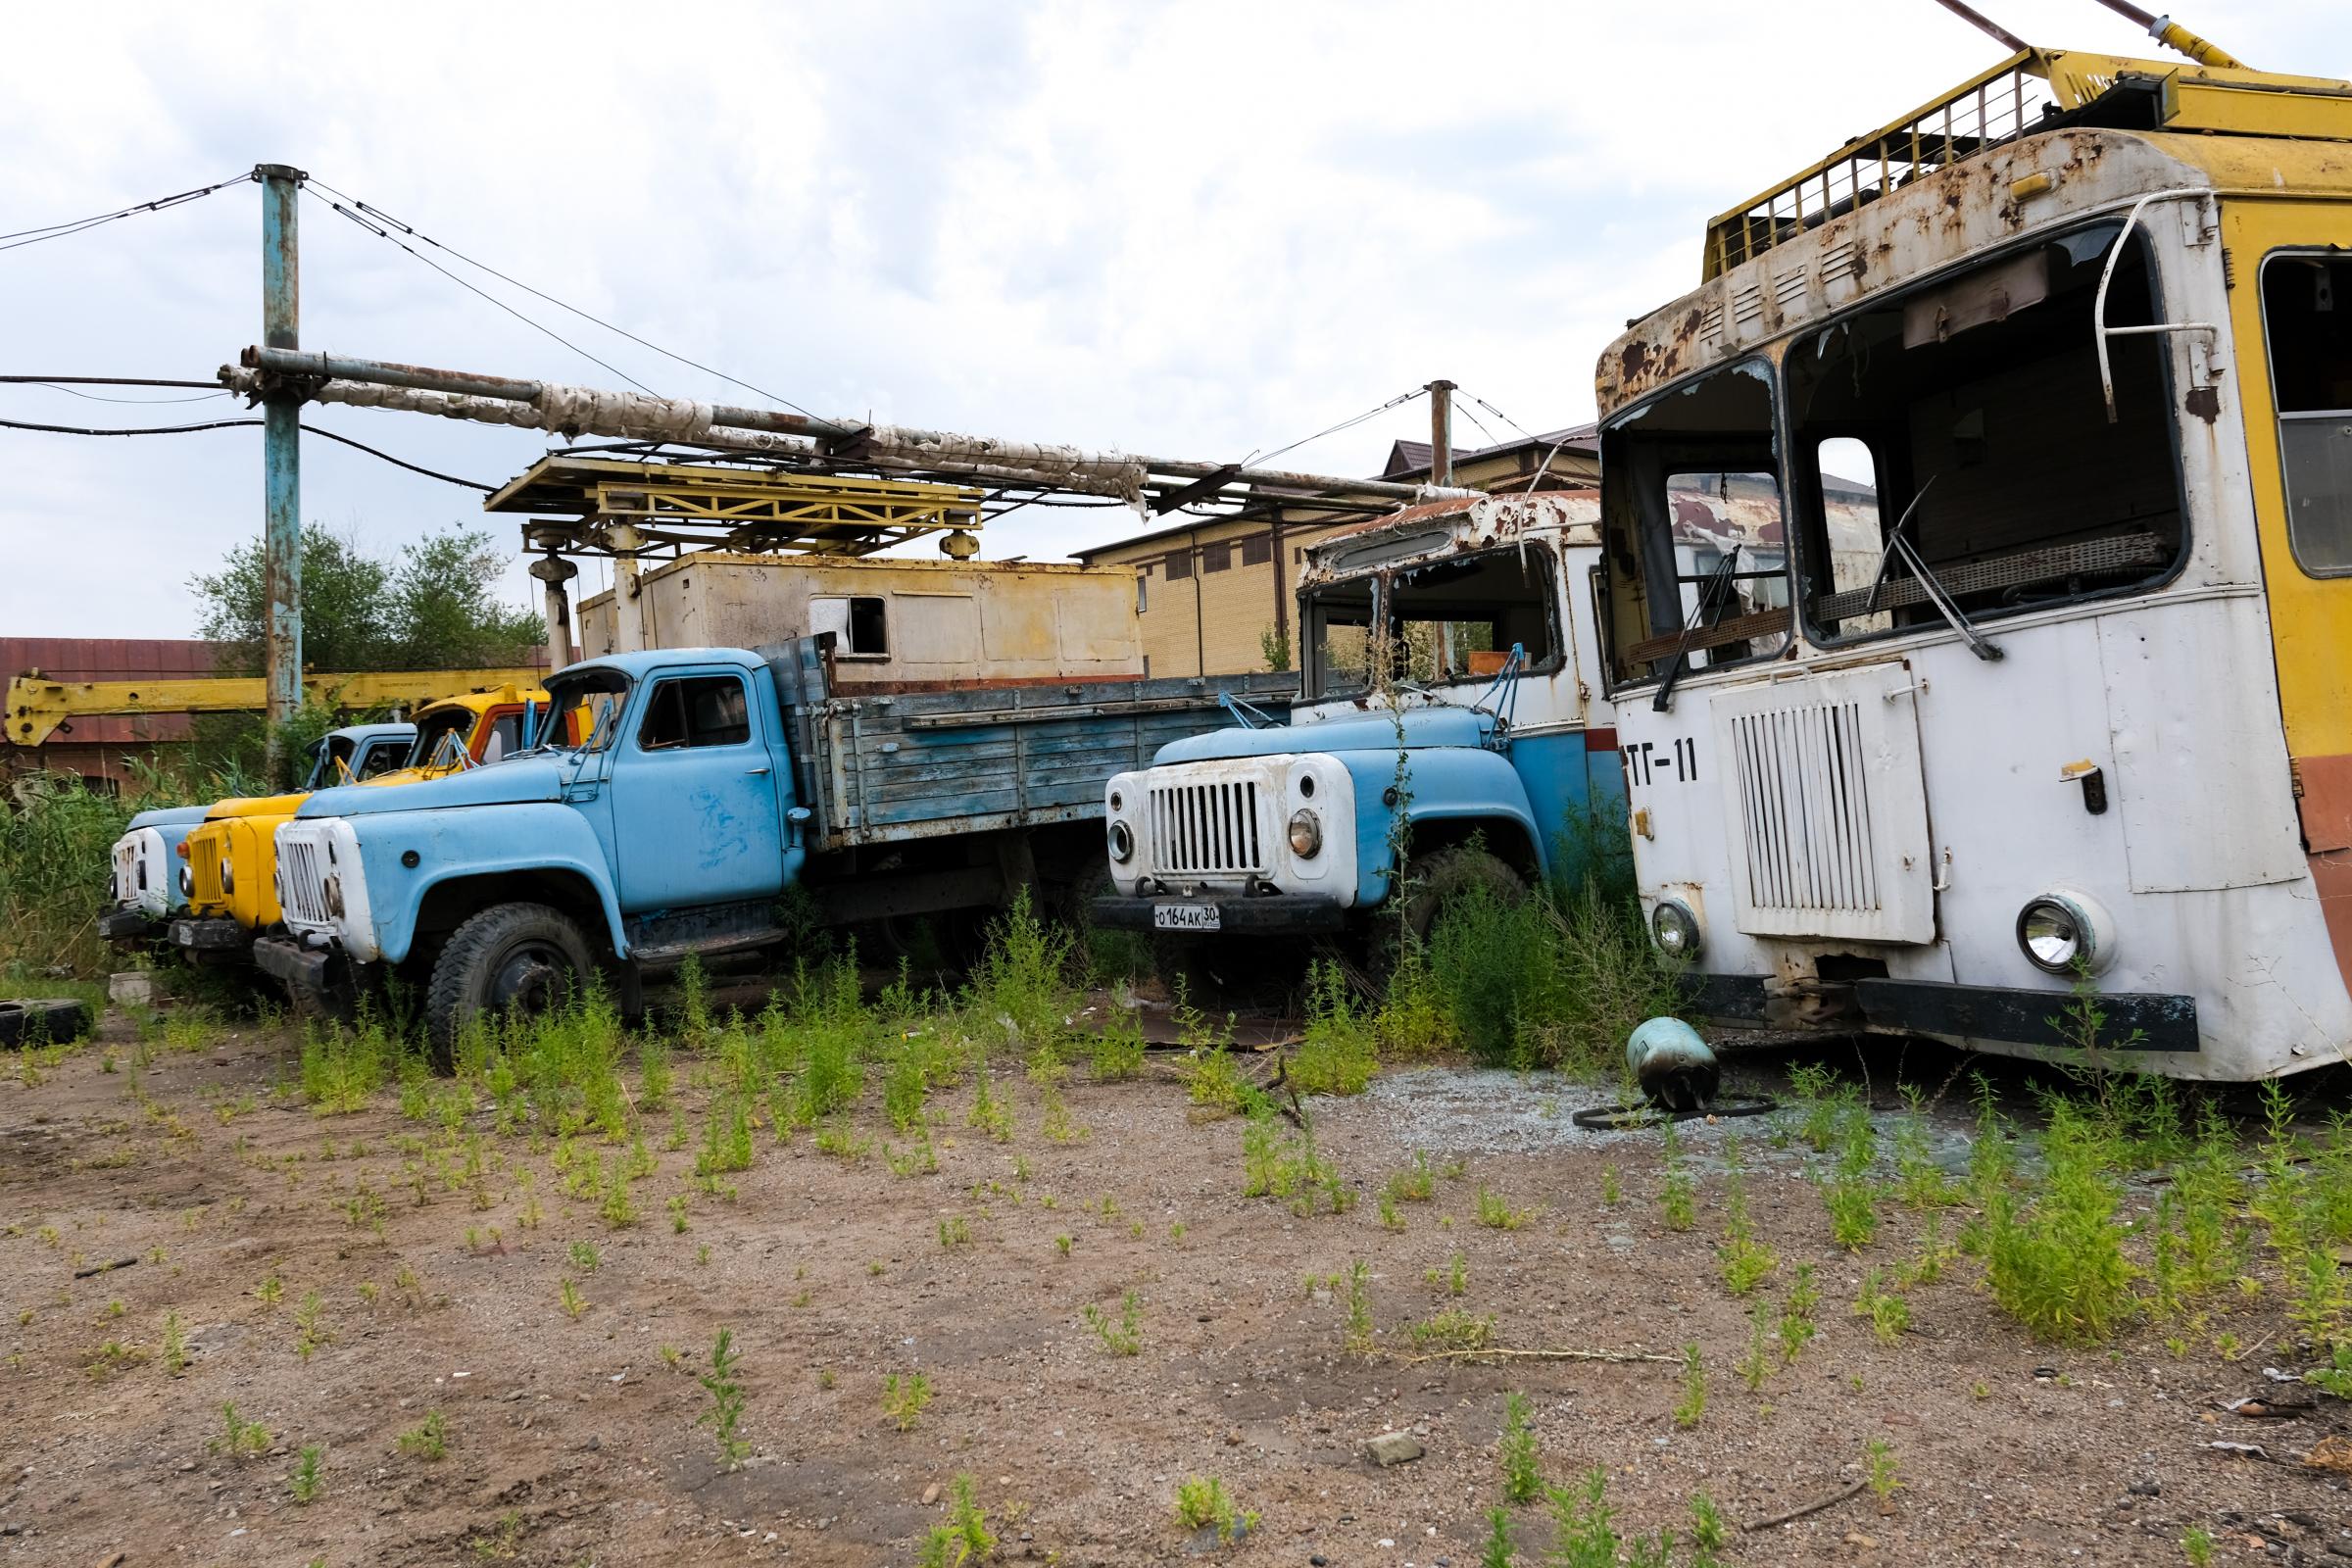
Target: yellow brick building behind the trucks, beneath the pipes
<point x="1215" y="594"/>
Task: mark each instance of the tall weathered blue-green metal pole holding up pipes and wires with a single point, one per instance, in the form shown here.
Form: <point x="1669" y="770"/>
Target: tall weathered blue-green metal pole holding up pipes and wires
<point x="281" y="450"/>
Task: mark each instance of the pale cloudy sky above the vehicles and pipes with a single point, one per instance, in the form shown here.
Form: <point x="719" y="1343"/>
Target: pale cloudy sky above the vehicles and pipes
<point x="1187" y="229"/>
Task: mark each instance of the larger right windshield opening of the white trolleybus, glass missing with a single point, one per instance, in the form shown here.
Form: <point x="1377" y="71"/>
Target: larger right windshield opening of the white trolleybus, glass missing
<point x="1970" y="417"/>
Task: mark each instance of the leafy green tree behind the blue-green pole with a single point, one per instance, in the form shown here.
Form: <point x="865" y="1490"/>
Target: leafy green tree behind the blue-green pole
<point x="432" y="610"/>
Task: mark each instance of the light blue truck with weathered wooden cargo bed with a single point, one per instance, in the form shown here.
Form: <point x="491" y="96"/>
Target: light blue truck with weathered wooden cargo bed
<point x="683" y="800"/>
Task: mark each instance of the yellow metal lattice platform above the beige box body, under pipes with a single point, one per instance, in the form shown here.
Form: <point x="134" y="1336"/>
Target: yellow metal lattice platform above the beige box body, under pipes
<point x="733" y="507"/>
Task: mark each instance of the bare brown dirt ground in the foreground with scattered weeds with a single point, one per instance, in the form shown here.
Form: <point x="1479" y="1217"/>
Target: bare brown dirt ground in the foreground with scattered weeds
<point x="577" y="1442"/>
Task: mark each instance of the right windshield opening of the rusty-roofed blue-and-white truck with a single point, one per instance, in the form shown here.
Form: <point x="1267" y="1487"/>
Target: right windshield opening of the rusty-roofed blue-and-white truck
<point x="1457" y="622"/>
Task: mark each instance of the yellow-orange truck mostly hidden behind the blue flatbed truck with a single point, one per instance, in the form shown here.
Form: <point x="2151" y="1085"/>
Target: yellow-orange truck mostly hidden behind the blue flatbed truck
<point x="229" y="862"/>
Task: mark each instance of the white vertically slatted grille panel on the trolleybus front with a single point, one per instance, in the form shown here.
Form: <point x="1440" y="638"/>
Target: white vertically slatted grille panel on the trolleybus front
<point x="1805" y="808"/>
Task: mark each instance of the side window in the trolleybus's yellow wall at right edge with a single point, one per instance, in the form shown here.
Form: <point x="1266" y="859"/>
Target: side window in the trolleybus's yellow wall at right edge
<point x="2308" y="321"/>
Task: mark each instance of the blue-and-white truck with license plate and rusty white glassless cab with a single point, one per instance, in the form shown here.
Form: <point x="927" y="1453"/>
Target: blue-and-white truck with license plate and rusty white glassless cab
<point x="1450" y="716"/>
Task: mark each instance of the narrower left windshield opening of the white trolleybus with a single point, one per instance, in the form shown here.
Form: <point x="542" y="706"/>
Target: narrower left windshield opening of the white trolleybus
<point x="1695" y="544"/>
